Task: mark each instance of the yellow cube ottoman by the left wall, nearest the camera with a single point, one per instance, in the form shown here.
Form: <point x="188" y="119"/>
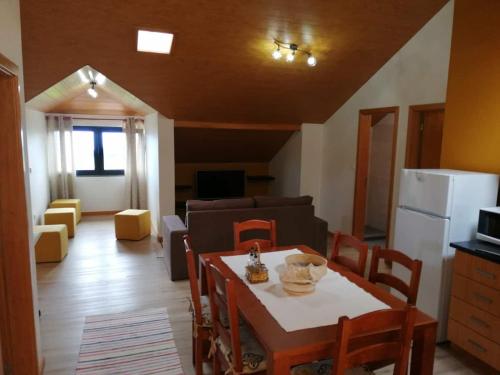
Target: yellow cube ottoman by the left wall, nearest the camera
<point x="52" y="246"/>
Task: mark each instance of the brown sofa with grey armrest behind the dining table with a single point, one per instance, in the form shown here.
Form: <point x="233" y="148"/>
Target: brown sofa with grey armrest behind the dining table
<point x="210" y="226"/>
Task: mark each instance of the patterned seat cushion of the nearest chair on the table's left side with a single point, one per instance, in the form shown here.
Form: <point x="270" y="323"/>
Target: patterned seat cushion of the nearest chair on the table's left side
<point x="252" y="354"/>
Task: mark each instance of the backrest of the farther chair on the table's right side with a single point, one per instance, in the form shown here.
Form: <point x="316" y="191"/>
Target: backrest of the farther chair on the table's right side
<point x="341" y="240"/>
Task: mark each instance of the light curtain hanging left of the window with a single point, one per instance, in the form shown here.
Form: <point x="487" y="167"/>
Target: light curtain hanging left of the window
<point x="60" y="156"/>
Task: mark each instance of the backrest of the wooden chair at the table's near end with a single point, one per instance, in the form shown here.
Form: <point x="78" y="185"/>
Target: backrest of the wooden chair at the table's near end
<point x="378" y="347"/>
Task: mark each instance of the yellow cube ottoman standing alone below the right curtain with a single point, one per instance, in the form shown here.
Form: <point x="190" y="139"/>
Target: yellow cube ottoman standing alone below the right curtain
<point x="132" y="224"/>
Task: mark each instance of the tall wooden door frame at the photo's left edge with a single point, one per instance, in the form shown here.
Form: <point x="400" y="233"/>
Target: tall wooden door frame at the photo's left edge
<point x="17" y="317"/>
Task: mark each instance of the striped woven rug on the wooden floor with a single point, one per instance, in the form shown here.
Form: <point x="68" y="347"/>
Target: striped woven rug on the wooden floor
<point x="129" y="343"/>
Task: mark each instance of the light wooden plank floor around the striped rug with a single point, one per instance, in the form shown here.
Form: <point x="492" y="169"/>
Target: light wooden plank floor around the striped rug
<point x="101" y="275"/>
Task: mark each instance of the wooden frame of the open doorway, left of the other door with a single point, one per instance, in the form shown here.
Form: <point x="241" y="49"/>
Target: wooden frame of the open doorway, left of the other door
<point x="362" y="163"/>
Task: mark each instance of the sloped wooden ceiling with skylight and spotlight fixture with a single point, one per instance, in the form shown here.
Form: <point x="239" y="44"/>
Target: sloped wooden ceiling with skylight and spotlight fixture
<point x="221" y="68"/>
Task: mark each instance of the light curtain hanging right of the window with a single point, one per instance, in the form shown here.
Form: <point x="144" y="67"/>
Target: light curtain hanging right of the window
<point x="135" y="172"/>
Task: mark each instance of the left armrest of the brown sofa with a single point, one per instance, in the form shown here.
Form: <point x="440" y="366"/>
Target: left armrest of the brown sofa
<point x="173" y="247"/>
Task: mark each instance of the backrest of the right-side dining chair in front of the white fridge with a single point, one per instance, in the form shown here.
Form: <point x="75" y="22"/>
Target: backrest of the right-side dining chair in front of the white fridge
<point x="413" y="265"/>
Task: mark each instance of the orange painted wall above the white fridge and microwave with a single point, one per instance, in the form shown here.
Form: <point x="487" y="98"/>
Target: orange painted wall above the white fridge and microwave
<point x="471" y="138"/>
